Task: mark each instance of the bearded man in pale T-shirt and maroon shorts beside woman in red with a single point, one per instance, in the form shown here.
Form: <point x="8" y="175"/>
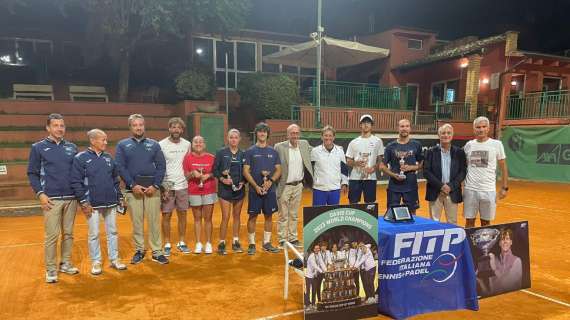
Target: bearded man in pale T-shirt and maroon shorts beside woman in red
<point x="175" y="185"/>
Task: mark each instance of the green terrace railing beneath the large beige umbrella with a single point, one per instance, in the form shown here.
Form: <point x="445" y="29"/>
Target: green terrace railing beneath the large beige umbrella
<point x="358" y="95"/>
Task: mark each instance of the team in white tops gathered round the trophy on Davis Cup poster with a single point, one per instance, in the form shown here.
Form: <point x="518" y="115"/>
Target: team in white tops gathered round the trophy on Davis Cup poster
<point x="357" y="256"/>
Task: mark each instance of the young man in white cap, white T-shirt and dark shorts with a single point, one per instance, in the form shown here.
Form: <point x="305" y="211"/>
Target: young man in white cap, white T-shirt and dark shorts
<point x="362" y="155"/>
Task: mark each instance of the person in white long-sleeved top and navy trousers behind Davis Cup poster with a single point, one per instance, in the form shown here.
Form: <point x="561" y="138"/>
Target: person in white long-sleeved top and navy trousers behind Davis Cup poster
<point x="330" y="172"/>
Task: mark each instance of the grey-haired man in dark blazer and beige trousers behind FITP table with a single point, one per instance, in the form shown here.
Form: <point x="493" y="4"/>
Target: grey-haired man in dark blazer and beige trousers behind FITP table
<point x="444" y="168"/>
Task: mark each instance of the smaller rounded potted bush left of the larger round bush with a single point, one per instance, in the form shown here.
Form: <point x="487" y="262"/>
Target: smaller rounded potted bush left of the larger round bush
<point x="197" y="84"/>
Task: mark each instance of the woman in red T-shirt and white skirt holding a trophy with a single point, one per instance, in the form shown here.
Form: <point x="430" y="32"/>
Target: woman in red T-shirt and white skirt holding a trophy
<point x="198" y="166"/>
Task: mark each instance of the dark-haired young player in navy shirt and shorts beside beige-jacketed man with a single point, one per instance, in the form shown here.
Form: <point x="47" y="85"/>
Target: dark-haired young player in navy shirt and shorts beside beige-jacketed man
<point x="262" y="168"/>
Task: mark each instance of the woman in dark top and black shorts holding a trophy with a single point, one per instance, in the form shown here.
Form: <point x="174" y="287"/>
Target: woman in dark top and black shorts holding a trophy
<point x="228" y="169"/>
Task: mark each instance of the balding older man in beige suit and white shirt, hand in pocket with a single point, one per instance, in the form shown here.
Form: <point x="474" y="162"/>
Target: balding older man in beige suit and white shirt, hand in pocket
<point x="296" y="171"/>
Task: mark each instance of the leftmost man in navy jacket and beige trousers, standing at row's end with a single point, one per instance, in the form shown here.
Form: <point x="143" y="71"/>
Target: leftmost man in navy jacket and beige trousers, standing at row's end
<point x="49" y="169"/>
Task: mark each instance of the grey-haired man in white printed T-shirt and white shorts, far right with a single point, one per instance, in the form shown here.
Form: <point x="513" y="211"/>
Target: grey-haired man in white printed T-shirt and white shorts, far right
<point x="483" y="154"/>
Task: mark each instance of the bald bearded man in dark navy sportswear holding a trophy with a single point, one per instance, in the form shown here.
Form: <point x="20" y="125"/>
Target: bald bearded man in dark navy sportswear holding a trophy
<point x="404" y="157"/>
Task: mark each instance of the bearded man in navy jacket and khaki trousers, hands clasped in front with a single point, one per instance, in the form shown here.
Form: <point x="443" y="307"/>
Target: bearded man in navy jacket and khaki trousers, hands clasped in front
<point x="142" y="166"/>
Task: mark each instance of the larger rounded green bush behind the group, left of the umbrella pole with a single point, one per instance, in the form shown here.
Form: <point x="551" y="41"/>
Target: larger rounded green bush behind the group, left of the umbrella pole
<point x="269" y="95"/>
